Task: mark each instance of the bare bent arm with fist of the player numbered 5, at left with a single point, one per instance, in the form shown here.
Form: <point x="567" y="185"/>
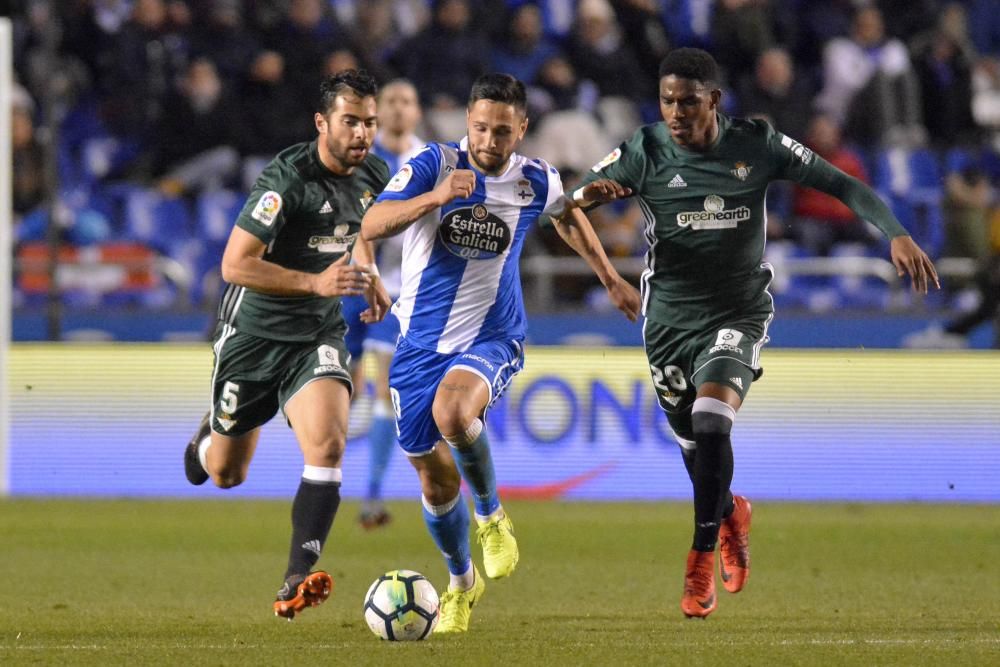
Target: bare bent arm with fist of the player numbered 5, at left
<point x="242" y="264"/>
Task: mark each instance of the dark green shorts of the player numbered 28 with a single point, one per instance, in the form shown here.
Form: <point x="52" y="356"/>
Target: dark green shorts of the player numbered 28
<point x="681" y="360"/>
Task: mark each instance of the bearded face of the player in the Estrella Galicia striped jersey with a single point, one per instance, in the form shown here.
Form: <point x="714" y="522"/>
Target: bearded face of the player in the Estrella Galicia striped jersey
<point x="494" y="129"/>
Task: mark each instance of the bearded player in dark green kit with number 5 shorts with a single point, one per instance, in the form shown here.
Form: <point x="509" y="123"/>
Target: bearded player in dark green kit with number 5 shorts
<point x="280" y="336"/>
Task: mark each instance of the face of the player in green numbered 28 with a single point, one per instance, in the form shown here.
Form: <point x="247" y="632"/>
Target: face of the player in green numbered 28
<point x="688" y="108"/>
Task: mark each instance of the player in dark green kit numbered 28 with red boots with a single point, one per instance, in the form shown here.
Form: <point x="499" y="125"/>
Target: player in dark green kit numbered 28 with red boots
<point x="700" y="178"/>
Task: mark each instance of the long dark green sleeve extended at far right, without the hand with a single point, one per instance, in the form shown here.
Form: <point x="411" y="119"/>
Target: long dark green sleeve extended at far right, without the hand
<point x="793" y="161"/>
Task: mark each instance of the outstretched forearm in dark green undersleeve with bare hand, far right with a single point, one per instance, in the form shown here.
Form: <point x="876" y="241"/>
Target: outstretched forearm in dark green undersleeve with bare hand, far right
<point x="906" y="255"/>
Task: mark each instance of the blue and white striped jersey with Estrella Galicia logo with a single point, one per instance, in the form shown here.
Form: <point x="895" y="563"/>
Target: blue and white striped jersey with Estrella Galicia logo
<point x="461" y="283"/>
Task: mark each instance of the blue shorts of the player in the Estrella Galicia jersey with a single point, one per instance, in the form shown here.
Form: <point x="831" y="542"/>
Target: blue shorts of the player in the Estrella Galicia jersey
<point x="414" y="376"/>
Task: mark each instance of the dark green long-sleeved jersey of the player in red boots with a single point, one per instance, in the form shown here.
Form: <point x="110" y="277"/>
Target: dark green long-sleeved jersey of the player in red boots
<point x="705" y="216"/>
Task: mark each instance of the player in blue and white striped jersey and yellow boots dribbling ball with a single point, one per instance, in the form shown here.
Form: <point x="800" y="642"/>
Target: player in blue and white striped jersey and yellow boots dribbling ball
<point x="464" y="210"/>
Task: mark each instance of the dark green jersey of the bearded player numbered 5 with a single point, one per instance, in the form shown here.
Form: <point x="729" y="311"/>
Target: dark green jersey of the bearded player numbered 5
<point x="308" y="217"/>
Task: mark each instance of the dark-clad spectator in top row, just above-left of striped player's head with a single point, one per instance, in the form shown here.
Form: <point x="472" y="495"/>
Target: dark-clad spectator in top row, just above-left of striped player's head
<point x="443" y="60"/>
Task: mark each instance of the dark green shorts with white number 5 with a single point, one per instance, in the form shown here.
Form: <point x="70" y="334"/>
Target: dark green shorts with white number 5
<point x="255" y="376"/>
